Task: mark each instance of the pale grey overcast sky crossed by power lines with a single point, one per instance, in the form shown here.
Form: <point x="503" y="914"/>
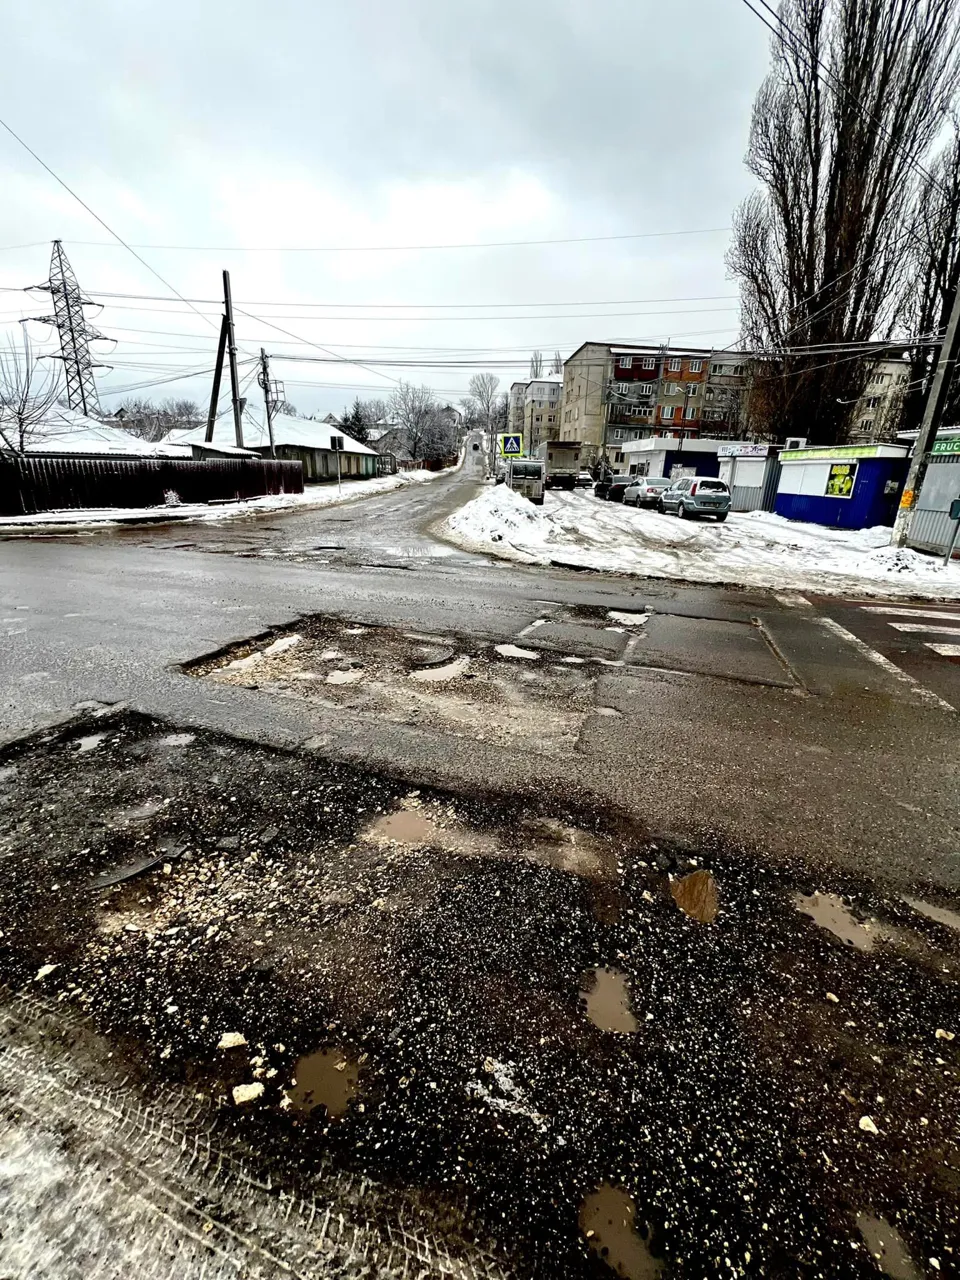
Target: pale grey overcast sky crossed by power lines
<point x="333" y="124"/>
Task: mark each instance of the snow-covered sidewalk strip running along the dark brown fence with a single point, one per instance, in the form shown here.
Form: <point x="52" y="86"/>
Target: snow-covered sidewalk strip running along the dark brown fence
<point x="314" y="496"/>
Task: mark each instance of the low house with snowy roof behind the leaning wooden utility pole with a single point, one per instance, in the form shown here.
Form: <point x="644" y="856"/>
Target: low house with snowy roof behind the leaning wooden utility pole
<point x="296" y="440"/>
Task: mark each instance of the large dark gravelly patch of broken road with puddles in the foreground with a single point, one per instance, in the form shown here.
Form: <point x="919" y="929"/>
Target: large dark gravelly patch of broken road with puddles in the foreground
<point x="449" y="968"/>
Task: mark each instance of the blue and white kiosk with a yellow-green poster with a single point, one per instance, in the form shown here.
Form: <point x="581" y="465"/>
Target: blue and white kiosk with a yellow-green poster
<point x="843" y="487"/>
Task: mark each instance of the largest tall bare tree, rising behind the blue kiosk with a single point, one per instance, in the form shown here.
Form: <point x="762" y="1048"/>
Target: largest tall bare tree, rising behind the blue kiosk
<point x="860" y="90"/>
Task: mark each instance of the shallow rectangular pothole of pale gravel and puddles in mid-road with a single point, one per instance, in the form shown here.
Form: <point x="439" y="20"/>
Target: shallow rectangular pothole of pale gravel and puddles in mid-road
<point x="455" y="684"/>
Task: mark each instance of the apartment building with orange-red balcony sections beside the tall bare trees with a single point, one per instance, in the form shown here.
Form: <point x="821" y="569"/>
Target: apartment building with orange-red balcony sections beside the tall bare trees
<point x="628" y="392"/>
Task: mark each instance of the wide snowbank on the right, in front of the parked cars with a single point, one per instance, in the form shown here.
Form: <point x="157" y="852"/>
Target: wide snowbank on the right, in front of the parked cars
<point x="751" y="550"/>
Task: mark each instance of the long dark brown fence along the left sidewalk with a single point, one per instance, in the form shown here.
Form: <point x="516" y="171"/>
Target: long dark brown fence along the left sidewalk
<point x="56" y="483"/>
